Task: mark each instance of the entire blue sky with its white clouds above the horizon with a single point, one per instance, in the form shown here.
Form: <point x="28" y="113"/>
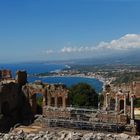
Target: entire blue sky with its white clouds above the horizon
<point x="65" y="29"/>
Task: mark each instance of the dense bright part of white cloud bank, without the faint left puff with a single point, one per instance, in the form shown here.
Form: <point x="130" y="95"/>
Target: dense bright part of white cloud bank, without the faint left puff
<point x="127" y="42"/>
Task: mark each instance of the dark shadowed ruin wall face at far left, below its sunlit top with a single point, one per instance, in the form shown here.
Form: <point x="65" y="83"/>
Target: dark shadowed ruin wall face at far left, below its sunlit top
<point x="14" y="106"/>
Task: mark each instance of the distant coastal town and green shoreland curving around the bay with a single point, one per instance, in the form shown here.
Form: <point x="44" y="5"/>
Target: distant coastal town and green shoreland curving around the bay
<point x="106" y="74"/>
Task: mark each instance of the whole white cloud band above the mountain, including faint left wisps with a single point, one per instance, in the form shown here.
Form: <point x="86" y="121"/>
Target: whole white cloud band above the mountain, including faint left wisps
<point x="126" y="43"/>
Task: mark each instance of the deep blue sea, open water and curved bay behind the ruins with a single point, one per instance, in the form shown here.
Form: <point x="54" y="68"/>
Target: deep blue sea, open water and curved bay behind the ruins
<point x="33" y="68"/>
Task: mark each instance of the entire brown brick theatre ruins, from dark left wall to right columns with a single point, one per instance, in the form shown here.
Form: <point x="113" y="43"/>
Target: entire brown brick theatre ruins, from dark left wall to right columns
<point x="18" y="103"/>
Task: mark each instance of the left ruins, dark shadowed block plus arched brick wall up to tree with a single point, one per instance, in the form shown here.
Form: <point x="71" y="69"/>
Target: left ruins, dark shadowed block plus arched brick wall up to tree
<point x="18" y="99"/>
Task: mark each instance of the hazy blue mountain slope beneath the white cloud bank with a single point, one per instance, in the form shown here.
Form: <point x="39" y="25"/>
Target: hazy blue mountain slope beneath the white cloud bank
<point x="129" y="58"/>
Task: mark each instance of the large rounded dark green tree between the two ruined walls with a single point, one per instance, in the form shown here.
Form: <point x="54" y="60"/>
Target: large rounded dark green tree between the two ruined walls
<point x="82" y="94"/>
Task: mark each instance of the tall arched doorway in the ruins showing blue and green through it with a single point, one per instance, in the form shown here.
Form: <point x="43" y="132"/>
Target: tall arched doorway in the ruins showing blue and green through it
<point x="36" y="103"/>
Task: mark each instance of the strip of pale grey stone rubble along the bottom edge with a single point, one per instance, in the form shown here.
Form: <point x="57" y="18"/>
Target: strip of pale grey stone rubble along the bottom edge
<point x="65" y="135"/>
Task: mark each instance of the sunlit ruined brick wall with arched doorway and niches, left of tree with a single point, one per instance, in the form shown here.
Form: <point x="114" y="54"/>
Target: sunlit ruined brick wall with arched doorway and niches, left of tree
<point x="53" y="95"/>
